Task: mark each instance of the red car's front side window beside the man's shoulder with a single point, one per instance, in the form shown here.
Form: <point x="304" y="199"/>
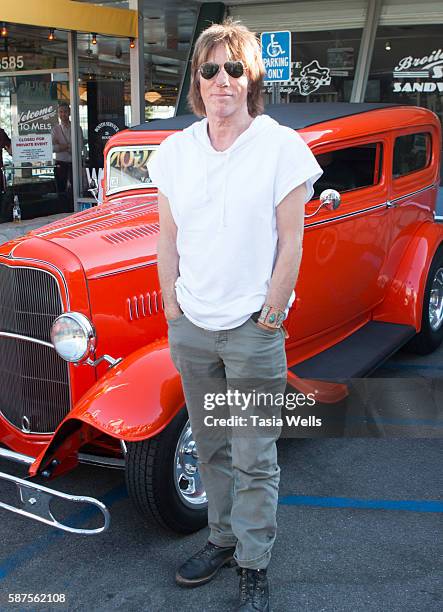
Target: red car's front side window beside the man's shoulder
<point x="350" y="168"/>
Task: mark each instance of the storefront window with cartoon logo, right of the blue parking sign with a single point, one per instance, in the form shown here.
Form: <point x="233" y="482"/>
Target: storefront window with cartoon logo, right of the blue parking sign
<point x="323" y="66"/>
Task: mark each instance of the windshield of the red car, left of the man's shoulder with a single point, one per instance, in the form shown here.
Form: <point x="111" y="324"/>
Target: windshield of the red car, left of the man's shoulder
<point x="128" y="168"/>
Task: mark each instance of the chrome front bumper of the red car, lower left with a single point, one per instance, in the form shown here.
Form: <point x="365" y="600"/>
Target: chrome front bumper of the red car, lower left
<point x="35" y="503"/>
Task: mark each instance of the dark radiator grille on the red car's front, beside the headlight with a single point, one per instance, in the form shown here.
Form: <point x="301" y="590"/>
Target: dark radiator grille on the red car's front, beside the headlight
<point x="34" y="383"/>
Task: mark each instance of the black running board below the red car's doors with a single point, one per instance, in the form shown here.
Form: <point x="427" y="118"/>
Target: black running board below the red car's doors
<point x="358" y="355"/>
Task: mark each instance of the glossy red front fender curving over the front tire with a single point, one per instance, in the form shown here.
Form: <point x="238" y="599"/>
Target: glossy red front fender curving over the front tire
<point x="133" y="401"/>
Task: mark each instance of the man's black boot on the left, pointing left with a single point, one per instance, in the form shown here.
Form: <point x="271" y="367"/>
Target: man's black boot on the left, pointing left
<point x="203" y="566"/>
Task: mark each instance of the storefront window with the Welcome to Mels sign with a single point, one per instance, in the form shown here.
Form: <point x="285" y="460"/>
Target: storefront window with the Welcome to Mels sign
<point x="33" y="82"/>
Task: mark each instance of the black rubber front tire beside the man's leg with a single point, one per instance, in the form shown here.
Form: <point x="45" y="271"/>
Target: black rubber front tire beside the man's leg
<point x="150" y="480"/>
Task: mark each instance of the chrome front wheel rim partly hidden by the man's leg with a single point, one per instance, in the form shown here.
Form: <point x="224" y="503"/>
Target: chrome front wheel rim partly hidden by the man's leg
<point x="187" y="478"/>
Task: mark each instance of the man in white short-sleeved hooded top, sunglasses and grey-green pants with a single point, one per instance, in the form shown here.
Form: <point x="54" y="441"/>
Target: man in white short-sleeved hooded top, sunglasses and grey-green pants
<point x="232" y="190"/>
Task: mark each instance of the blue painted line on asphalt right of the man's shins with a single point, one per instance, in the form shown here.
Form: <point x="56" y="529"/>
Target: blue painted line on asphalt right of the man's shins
<point x="411" y="505"/>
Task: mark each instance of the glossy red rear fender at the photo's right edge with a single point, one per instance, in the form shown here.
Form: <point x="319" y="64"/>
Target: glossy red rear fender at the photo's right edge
<point x="404" y="299"/>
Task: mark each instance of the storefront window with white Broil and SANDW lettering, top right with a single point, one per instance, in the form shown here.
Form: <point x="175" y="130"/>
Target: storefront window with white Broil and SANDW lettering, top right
<point x="407" y="67"/>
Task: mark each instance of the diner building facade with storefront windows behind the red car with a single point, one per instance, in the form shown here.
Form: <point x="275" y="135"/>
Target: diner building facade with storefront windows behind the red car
<point x="117" y="63"/>
